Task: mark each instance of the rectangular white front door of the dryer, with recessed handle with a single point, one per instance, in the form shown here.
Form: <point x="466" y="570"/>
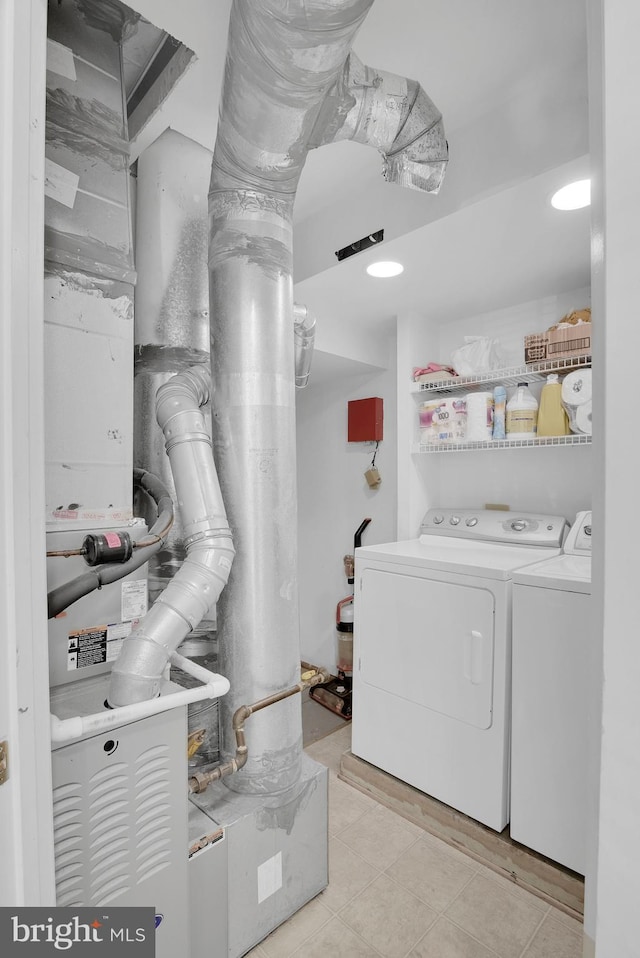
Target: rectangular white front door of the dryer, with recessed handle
<point x="428" y="641"/>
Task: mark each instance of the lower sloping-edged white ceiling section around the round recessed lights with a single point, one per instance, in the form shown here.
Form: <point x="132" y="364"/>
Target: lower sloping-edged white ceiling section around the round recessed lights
<point x="510" y="248"/>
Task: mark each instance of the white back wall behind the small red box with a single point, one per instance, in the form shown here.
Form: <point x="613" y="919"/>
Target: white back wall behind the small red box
<point x="334" y="498"/>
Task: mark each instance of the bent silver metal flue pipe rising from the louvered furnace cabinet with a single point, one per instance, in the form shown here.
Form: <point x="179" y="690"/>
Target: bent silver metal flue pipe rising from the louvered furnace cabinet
<point x="196" y="587"/>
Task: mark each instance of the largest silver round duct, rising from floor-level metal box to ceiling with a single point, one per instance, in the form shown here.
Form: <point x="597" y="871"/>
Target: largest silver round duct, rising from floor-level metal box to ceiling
<point x="284" y="58"/>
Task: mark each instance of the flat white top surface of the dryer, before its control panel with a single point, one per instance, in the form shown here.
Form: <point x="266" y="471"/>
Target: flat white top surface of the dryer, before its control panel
<point x="461" y="556"/>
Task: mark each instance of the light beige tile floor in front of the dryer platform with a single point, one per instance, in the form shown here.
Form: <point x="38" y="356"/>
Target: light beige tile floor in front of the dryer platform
<point x="396" y="891"/>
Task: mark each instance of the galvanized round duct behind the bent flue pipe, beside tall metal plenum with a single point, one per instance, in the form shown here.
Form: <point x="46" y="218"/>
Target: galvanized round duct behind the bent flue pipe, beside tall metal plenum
<point x="171" y="306"/>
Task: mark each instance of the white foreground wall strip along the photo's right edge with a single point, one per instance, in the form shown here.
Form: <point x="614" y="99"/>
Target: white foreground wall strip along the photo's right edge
<point x="616" y="293"/>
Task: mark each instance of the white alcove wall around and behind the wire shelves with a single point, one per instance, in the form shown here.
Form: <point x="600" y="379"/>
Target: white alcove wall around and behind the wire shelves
<point x="557" y="481"/>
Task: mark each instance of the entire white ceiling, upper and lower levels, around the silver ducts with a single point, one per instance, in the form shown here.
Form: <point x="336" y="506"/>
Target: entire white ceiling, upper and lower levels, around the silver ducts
<point x="510" y="77"/>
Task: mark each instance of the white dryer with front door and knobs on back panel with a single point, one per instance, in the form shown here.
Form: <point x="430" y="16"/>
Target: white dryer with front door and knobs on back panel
<point x="432" y="653"/>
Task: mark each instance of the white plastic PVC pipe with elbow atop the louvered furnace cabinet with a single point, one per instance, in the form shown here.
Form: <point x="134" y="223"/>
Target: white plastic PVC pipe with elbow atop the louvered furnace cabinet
<point x="213" y="686"/>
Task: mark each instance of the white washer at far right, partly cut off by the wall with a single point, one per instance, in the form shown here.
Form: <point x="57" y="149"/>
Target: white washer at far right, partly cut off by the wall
<point x="553" y="670"/>
